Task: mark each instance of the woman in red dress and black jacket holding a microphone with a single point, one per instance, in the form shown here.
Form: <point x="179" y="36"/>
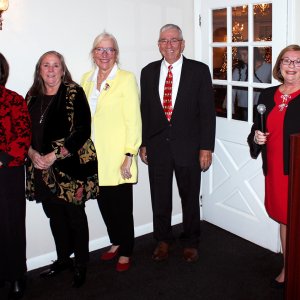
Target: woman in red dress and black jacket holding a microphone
<point x="282" y="119"/>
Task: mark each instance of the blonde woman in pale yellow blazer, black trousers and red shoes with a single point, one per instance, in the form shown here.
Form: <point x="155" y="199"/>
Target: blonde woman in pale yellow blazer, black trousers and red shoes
<point x="116" y="131"/>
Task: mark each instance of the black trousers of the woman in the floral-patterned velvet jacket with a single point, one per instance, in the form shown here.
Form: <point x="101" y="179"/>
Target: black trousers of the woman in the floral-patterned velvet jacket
<point x="70" y="231"/>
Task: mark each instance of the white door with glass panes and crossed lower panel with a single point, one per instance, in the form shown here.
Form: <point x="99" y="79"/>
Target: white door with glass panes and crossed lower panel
<point x="232" y="35"/>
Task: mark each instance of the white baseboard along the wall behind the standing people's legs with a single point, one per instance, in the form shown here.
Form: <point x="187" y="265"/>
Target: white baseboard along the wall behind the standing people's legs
<point x="47" y="258"/>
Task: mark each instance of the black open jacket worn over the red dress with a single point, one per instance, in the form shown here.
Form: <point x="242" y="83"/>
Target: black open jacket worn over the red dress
<point x="291" y="125"/>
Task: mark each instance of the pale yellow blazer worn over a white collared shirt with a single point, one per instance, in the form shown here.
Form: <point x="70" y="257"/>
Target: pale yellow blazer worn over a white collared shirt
<point x="117" y="126"/>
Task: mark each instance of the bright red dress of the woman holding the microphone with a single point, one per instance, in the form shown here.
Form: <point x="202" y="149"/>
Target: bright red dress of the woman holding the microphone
<point x="276" y="183"/>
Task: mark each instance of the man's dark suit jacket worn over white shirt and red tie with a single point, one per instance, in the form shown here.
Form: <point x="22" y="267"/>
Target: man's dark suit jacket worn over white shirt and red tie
<point x="192" y="126"/>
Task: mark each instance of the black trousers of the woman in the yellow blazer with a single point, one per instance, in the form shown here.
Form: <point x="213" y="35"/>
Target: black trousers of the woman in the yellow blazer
<point x="116" y="205"/>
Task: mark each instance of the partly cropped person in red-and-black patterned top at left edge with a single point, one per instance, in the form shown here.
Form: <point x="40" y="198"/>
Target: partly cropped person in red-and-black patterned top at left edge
<point x="15" y="135"/>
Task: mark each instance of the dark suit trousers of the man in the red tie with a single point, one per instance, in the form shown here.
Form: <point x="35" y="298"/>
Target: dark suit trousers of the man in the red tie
<point x="188" y="182"/>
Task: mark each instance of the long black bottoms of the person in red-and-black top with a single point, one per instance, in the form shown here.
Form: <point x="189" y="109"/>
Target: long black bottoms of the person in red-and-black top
<point x="12" y="223"/>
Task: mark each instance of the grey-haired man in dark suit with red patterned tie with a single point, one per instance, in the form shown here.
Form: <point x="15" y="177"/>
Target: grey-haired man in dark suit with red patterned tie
<point x="178" y="137"/>
